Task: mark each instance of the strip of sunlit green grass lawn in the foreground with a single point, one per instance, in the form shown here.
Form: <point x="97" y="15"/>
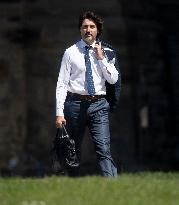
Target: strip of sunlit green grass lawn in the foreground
<point x="127" y="189"/>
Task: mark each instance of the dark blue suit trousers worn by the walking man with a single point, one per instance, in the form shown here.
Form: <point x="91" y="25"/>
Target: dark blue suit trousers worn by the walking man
<point x="94" y="114"/>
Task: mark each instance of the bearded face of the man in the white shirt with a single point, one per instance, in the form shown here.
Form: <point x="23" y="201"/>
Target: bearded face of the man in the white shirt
<point x="88" y="31"/>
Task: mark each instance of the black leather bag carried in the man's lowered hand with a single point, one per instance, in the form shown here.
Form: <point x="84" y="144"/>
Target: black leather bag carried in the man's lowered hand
<point x="64" y="153"/>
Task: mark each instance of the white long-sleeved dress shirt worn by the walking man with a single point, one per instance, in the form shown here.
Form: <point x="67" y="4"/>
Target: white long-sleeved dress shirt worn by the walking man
<point x="72" y="74"/>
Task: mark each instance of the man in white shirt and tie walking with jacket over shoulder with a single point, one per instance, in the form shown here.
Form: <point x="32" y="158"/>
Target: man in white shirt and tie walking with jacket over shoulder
<point x="86" y="69"/>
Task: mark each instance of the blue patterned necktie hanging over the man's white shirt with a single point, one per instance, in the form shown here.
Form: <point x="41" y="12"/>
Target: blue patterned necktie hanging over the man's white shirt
<point x="89" y="77"/>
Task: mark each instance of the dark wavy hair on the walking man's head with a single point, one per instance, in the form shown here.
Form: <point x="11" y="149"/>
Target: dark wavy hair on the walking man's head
<point x="94" y="17"/>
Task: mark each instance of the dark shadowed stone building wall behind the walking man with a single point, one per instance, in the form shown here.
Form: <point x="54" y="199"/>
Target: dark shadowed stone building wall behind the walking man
<point x="33" y="36"/>
